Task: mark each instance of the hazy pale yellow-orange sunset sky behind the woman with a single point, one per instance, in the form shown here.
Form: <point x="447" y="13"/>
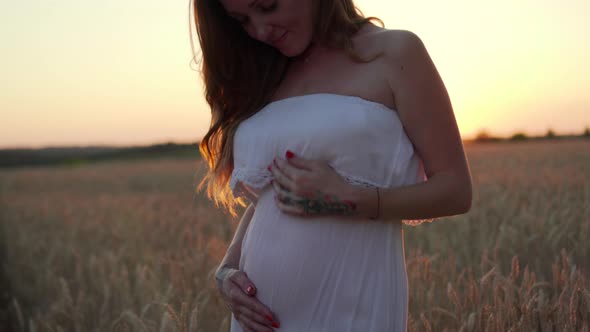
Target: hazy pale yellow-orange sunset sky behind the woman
<point x="118" y="72"/>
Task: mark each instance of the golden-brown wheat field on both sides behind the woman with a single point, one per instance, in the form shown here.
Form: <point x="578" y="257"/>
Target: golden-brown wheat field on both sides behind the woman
<point x="130" y="246"/>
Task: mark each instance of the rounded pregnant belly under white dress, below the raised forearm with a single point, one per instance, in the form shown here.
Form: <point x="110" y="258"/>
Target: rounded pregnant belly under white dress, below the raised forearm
<point x="303" y="266"/>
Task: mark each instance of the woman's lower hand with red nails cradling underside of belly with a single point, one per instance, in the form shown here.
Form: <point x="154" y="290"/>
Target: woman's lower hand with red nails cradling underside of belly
<point x="238" y="292"/>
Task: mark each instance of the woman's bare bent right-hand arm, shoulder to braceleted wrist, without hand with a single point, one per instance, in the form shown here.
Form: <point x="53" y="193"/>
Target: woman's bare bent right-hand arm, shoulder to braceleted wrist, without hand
<point x="425" y="109"/>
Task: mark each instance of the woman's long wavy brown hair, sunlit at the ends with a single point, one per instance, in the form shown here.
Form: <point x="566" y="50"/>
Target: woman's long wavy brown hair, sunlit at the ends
<point x="241" y="74"/>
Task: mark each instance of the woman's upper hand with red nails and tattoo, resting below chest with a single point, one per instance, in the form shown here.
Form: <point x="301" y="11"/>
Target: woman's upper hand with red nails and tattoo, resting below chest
<point x="307" y="187"/>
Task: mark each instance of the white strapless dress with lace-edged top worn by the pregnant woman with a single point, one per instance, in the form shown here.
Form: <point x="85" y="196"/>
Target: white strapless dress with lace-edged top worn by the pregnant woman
<point x="325" y="273"/>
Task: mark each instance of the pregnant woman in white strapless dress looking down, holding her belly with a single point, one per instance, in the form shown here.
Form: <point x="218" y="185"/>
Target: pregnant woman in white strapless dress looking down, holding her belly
<point x="333" y="132"/>
